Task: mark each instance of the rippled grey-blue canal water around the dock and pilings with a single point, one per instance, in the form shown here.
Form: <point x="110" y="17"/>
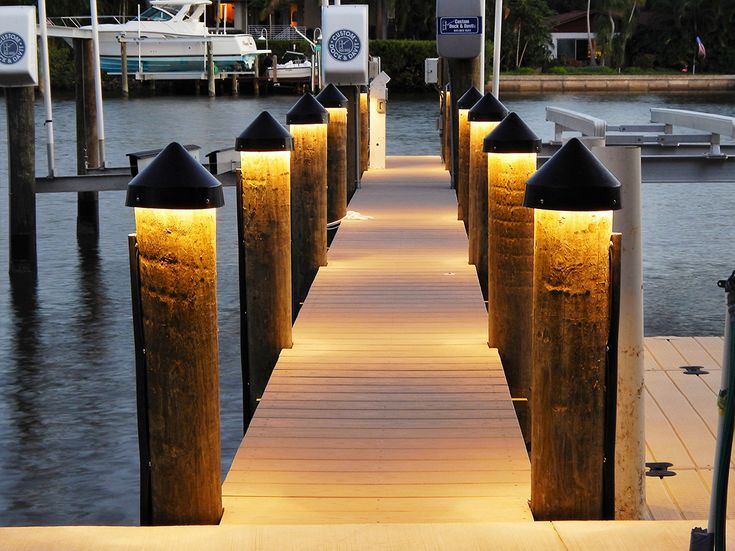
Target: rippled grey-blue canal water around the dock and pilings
<point x="68" y="443"/>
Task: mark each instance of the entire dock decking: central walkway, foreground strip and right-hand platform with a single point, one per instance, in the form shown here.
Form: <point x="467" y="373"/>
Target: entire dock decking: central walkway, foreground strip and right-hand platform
<point x="389" y="424"/>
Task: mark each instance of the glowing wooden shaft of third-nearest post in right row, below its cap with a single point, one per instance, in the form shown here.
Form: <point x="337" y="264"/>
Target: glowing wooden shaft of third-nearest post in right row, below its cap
<point x="476" y="196"/>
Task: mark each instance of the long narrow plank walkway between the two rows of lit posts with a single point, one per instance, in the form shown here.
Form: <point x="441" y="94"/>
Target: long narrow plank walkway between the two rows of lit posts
<point x="390" y="407"/>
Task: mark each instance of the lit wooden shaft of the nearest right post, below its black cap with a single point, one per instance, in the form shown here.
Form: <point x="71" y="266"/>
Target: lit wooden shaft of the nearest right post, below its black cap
<point x="571" y="328"/>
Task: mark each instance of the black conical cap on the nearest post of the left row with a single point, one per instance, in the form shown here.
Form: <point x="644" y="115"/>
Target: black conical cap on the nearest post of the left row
<point x="175" y="180"/>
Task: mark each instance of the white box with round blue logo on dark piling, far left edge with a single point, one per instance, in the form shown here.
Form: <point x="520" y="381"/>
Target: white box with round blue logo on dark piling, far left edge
<point x="19" y="74"/>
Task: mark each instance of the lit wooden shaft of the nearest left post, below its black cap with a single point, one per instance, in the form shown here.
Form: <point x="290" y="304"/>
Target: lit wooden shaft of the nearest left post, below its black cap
<point x="178" y="305"/>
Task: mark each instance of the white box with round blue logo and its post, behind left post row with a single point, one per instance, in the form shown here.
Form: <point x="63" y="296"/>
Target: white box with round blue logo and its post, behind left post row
<point x="345" y="63"/>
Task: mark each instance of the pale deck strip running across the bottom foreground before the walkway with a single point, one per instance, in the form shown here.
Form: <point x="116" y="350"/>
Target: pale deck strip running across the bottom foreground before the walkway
<point x="518" y="536"/>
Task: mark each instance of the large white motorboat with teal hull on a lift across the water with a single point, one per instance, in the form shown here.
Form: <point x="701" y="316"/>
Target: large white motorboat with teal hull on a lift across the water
<point x="171" y="36"/>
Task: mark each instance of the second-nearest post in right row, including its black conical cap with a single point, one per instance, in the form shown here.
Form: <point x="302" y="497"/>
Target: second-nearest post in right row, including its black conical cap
<point x="511" y="159"/>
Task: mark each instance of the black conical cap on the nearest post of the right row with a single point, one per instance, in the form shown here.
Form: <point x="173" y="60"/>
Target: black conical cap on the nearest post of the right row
<point x="573" y="179"/>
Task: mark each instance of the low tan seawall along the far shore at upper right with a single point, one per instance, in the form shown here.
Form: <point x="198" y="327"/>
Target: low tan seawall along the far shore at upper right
<point x="639" y="84"/>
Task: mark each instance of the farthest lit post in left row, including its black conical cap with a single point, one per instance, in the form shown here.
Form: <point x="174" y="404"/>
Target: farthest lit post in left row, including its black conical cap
<point x="336" y="104"/>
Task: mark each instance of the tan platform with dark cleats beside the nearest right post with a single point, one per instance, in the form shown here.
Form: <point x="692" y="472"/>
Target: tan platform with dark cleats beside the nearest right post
<point x="681" y="425"/>
